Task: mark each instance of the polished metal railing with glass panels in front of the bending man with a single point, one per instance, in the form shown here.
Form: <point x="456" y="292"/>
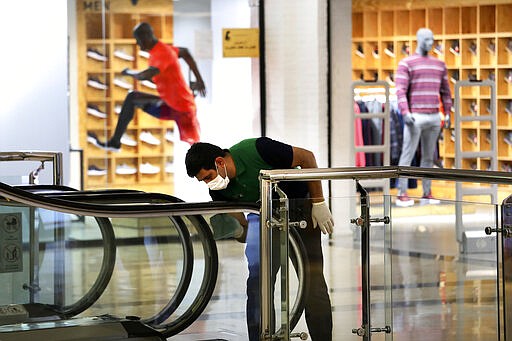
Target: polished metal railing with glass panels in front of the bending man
<point x="269" y="179"/>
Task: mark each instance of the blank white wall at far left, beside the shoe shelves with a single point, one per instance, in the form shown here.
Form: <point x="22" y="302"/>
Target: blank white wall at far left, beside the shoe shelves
<point x="33" y="90"/>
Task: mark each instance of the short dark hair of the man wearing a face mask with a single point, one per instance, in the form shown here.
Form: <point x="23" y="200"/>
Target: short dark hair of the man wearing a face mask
<point x="202" y="155"/>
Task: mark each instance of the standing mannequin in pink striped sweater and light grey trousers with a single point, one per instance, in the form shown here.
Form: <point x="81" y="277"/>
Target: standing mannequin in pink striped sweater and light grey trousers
<point x="421" y="80"/>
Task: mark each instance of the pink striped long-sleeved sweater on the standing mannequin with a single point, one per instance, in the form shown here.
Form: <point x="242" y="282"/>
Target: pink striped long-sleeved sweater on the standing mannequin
<point x="420" y="80"/>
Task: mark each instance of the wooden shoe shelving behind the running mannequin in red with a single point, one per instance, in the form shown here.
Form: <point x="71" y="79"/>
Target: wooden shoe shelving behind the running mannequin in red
<point x="109" y="31"/>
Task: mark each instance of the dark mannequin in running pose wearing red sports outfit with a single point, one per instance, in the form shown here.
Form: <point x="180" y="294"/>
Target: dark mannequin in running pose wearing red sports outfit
<point x="175" y="100"/>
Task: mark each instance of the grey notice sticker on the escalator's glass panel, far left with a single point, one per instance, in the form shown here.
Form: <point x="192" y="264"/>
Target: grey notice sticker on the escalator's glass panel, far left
<point x="11" y="256"/>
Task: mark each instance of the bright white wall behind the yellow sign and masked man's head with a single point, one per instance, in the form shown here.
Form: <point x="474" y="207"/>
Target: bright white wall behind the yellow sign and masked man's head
<point x="226" y="115"/>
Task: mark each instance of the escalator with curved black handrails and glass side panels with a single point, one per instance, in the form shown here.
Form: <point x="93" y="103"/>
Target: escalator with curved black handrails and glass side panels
<point x="109" y="264"/>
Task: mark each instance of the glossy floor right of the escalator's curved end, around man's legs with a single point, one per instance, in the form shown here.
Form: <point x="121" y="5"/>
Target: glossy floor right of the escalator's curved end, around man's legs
<point x="437" y="292"/>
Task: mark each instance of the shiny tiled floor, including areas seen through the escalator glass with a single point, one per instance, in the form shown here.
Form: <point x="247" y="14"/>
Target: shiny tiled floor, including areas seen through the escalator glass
<point x="421" y="285"/>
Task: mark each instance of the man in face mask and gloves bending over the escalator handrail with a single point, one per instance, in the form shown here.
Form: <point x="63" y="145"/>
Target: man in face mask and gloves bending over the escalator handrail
<point x="232" y="175"/>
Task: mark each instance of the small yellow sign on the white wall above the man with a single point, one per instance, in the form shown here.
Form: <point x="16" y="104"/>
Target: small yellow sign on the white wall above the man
<point x="240" y="42"/>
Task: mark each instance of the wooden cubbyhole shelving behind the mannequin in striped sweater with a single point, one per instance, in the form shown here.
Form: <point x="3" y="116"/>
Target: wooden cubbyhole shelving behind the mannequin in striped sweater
<point x="475" y="27"/>
